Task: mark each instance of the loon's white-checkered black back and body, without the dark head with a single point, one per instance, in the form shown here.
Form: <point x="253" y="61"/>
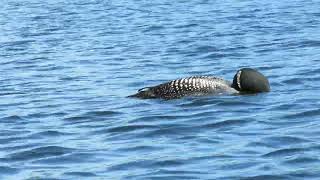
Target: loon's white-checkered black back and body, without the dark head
<point x="191" y="86"/>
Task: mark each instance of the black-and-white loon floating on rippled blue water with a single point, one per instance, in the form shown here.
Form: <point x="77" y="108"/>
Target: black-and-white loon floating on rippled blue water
<point x="246" y="80"/>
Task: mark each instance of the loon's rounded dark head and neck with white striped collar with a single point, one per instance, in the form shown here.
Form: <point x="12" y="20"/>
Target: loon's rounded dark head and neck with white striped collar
<point x="248" y="80"/>
